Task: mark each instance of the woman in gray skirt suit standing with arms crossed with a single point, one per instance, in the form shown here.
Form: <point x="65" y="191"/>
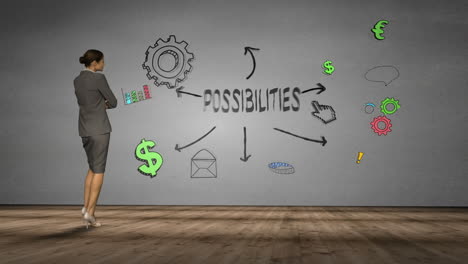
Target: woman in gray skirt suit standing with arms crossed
<point x="94" y="96"/>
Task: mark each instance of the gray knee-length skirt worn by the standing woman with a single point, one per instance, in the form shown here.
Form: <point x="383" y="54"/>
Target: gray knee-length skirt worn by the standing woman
<point x="96" y="148"/>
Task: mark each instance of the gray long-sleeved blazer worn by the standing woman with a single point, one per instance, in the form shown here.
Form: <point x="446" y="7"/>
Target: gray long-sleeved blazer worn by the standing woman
<point x="91" y="90"/>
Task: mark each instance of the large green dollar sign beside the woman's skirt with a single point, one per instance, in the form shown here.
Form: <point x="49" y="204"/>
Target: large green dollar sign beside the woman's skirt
<point x="153" y="159"/>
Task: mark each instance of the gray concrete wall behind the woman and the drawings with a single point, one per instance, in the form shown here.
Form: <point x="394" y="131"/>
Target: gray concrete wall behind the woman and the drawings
<point x="422" y="161"/>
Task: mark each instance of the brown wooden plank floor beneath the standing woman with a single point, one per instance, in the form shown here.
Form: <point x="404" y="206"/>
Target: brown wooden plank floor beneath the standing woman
<point x="234" y="234"/>
